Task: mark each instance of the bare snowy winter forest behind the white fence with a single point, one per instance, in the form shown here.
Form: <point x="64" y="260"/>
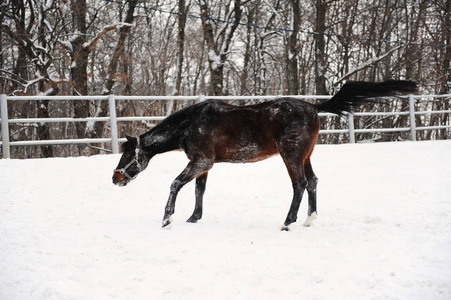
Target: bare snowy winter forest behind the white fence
<point x="218" y="47"/>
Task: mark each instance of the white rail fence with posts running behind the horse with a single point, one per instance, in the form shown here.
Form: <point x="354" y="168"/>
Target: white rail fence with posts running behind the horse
<point x="113" y="119"/>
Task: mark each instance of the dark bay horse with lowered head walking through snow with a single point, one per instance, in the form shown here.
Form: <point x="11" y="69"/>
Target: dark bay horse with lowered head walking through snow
<point x="214" y="131"/>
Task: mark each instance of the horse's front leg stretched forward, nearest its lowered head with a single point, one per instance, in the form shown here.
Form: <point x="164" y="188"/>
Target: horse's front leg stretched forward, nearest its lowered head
<point x="192" y="170"/>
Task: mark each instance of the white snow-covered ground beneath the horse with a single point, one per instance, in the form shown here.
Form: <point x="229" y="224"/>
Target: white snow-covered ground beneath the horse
<point x="383" y="230"/>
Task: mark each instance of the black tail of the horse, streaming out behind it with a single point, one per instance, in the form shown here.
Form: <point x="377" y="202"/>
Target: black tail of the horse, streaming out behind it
<point x="355" y="93"/>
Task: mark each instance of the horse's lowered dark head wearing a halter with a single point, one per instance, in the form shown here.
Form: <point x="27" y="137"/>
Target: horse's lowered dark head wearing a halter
<point x="133" y="161"/>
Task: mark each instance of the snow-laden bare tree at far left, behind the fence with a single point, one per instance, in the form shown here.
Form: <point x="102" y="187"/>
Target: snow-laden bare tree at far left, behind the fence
<point x="35" y="37"/>
